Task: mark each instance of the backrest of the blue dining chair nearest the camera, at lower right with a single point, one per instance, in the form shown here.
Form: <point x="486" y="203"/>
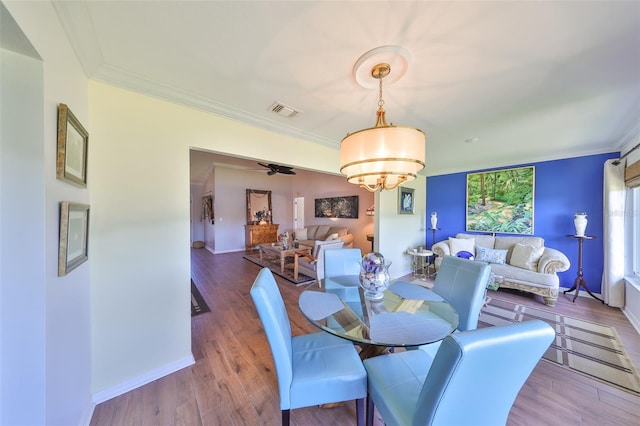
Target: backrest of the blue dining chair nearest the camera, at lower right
<point x="475" y="378"/>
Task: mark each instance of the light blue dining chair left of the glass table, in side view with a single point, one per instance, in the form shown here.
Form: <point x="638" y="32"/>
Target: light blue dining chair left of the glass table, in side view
<point x="312" y="369"/>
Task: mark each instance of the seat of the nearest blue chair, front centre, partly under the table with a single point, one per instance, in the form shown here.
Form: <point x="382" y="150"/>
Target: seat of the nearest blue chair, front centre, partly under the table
<point x="396" y="381"/>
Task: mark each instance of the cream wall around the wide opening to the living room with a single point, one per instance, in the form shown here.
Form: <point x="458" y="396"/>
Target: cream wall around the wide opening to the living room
<point x="140" y="226"/>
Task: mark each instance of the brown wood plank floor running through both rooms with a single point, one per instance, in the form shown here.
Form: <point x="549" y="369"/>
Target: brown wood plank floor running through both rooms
<point x="233" y="381"/>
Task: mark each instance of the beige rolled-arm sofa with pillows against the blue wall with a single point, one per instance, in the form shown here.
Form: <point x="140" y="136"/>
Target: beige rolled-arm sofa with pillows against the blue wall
<point x="519" y="262"/>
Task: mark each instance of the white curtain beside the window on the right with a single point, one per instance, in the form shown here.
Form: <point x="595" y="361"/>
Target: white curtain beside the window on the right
<point x="613" y="227"/>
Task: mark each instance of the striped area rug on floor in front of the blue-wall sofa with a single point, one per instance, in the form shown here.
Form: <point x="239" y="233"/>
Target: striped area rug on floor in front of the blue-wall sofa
<point x="592" y="349"/>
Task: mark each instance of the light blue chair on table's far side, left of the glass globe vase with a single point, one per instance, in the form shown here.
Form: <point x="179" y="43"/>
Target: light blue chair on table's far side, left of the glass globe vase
<point x="342" y="273"/>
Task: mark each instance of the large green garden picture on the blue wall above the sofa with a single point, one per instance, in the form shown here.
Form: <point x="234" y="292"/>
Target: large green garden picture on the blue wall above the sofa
<point x="501" y="201"/>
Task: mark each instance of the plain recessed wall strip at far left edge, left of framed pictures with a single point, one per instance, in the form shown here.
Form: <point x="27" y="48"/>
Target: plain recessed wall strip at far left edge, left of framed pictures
<point x="22" y="291"/>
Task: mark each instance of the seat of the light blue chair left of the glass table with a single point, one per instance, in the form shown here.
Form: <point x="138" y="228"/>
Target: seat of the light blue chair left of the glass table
<point x="326" y="369"/>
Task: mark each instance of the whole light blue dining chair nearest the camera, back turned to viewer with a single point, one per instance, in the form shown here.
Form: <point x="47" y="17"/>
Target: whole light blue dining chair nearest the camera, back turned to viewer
<point x="474" y="378"/>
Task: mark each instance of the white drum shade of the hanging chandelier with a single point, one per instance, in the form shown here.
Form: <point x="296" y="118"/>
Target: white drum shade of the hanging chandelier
<point x="393" y="152"/>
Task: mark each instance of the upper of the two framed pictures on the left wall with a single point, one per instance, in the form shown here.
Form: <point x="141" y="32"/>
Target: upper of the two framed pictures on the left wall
<point x="73" y="141"/>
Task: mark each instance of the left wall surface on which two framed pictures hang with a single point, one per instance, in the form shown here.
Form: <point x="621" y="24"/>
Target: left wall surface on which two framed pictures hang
<point x="47" y="378"/>
